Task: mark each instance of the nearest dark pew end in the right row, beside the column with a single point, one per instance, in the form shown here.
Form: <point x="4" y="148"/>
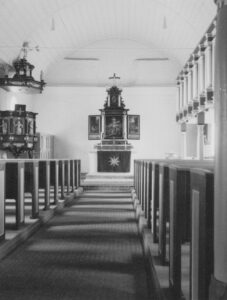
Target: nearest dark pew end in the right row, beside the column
<point x="202" y="252"/>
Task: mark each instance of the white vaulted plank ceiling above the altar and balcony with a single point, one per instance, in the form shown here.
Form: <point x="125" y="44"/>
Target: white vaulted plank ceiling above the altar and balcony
<point x="104" y="37"/>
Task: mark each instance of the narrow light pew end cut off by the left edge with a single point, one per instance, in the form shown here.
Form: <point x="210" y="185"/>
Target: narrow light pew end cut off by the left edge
<point x="2" y="200"/>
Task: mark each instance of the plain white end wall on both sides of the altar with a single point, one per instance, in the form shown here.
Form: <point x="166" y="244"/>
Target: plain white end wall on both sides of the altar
<point x="63" y="111"/>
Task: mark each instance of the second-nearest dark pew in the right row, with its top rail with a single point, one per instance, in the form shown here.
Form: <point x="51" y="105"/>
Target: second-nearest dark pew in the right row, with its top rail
<point x="180" y="225"/>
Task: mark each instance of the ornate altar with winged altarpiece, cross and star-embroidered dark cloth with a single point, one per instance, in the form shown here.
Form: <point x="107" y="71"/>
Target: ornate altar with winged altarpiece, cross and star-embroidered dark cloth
<point x="113" y="128"/>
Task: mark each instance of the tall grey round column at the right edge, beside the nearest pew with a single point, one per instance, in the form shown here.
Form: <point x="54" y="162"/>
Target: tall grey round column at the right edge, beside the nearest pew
<point x="218" y="287"/>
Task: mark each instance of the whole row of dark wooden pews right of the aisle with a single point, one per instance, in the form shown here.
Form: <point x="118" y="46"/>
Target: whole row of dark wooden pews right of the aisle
<point x="176" y="199"/>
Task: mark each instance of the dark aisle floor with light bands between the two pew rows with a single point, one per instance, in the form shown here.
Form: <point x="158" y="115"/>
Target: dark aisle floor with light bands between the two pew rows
<point x="90" y="250"/>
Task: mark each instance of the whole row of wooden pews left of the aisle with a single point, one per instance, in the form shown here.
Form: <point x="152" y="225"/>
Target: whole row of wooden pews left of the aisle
<point x="46" y="181"/>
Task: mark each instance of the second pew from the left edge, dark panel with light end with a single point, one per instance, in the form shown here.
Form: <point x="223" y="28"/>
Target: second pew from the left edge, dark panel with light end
<point x="14" y="188"/>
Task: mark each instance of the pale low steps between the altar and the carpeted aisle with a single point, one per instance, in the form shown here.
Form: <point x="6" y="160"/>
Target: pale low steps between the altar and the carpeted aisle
<point x="108" y="181"/>
